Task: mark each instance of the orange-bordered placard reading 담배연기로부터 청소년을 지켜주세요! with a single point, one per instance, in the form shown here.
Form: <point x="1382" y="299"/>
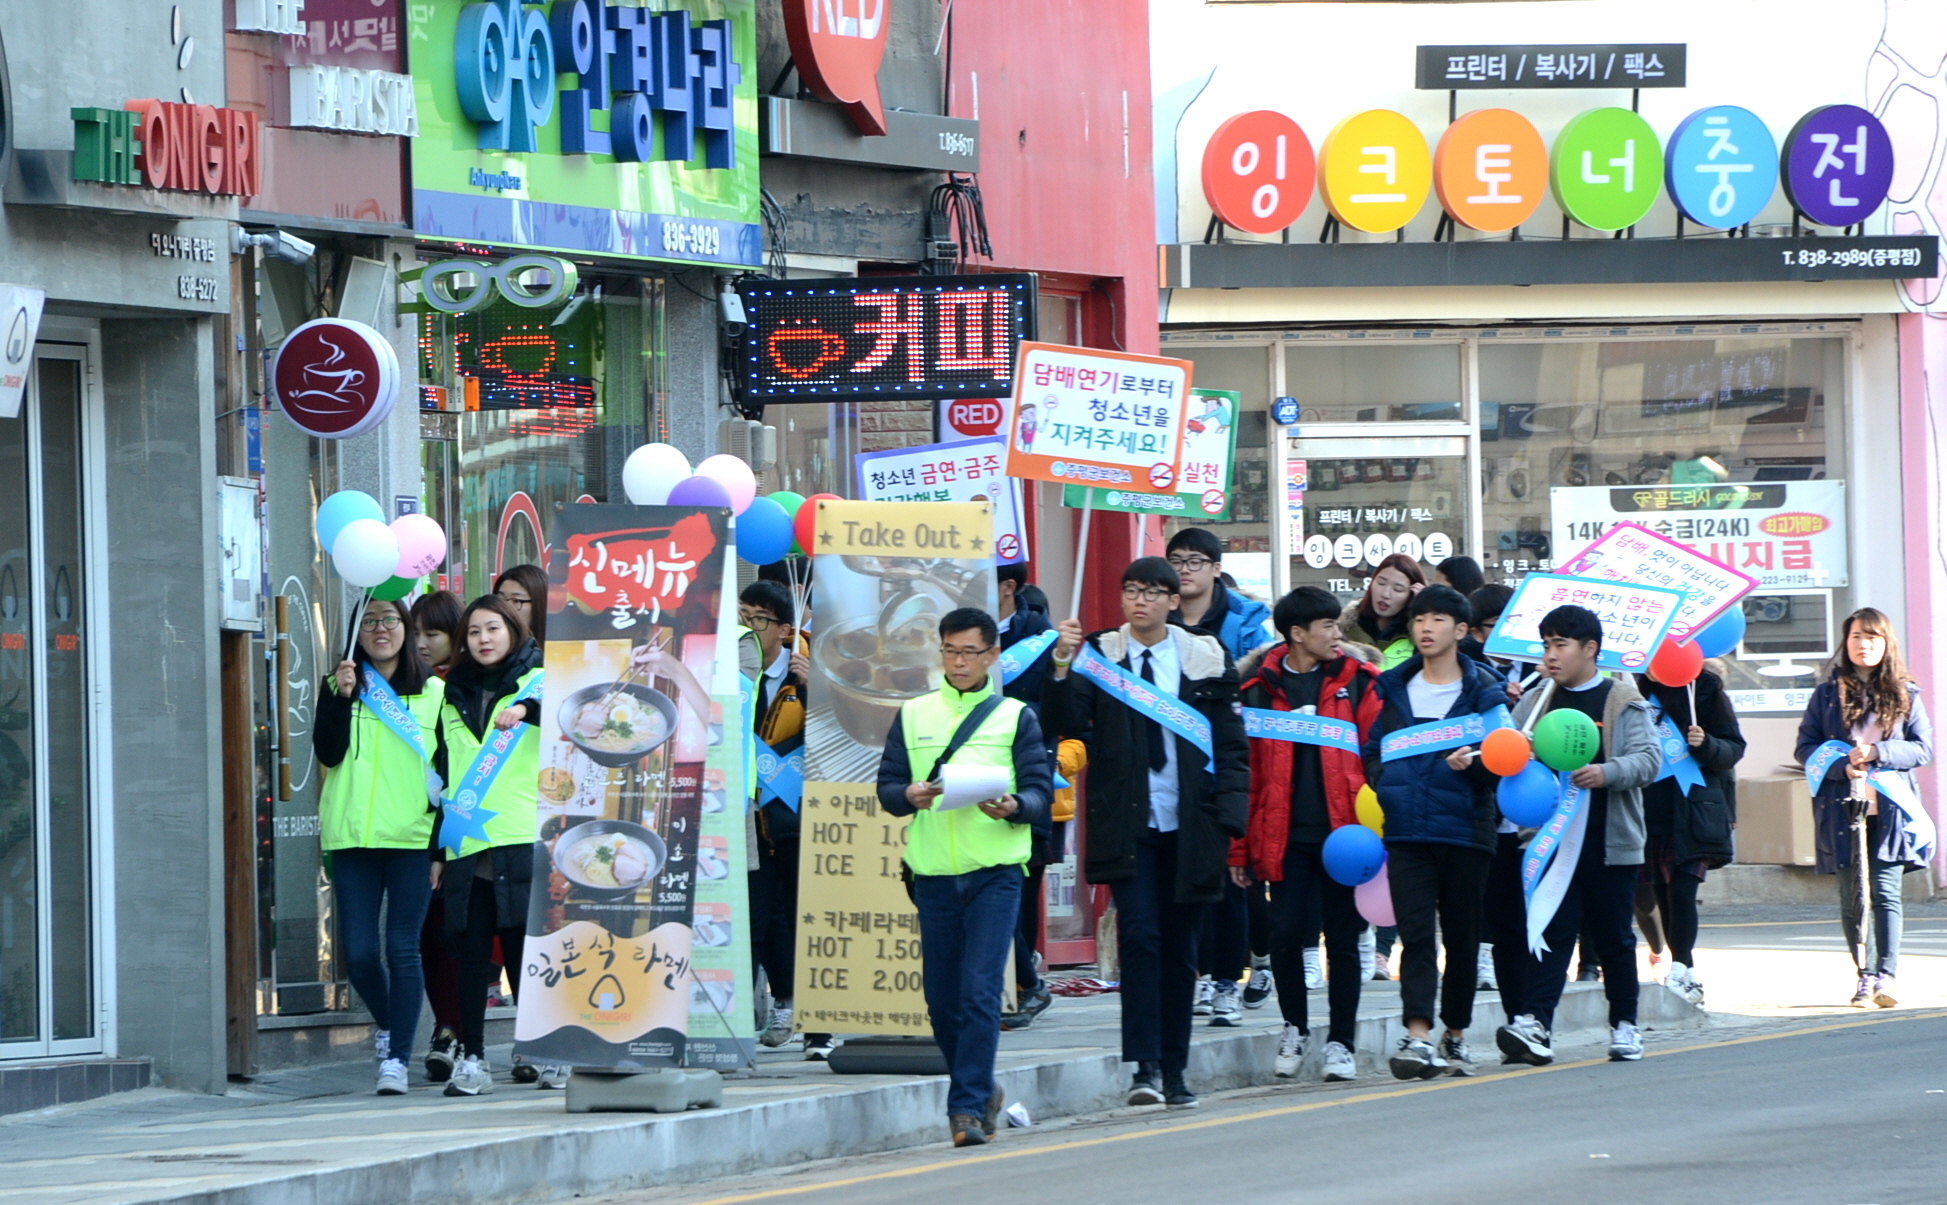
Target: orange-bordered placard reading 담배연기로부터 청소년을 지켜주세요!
<point x="1093" y="418"/>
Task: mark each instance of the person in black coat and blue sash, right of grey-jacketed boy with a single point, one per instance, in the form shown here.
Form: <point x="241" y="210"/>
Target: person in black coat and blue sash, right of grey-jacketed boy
<point x="1689" y="815"/>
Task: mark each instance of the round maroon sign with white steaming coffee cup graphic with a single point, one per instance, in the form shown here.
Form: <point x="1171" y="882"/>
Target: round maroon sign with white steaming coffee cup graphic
<point x="336" y="379"/>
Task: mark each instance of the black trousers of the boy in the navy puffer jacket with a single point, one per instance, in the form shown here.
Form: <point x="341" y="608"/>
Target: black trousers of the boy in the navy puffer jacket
<point x="1438" y="900"/>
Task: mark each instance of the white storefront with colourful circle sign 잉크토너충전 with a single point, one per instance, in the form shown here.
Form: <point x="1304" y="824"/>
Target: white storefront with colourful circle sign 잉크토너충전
<point x="1477" y="344"/>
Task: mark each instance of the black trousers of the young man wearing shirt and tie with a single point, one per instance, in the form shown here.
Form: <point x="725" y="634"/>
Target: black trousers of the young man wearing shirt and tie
<point x="1157" y="939"/>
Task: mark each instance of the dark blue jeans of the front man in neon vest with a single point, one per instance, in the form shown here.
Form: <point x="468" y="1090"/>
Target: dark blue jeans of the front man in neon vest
<point x="967" y="924"/>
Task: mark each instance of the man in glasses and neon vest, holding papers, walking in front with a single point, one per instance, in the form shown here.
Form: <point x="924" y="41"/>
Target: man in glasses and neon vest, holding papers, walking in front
<point x="969" y="858"/>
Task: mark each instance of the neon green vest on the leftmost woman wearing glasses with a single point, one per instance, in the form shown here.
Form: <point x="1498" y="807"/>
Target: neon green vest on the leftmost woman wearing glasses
<point x="377" y="799"/>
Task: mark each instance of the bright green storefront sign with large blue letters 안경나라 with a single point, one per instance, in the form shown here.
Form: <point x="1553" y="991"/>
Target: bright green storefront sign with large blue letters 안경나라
<point x="583" y="128"/>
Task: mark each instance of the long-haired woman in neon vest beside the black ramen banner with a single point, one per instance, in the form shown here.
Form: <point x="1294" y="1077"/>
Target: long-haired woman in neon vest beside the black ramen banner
<point x="486" y="887"/>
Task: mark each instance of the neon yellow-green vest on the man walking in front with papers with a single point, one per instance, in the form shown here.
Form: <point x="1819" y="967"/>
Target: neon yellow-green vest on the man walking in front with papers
<point x="967" y="838"/>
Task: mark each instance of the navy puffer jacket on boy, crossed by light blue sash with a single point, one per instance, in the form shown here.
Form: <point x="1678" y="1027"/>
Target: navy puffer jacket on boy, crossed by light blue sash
<point x="1422" y="797"/>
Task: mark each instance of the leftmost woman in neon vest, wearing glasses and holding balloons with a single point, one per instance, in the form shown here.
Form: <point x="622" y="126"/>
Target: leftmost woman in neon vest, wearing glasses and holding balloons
<point x="377" y="739"/>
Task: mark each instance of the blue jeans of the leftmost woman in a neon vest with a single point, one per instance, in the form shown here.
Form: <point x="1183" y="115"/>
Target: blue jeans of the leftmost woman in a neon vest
<point x="363" y="879"/>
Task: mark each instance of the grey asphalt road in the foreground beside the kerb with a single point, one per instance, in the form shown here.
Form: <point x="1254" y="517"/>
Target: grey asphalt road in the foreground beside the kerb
<point x="1849" y="1111"/>
